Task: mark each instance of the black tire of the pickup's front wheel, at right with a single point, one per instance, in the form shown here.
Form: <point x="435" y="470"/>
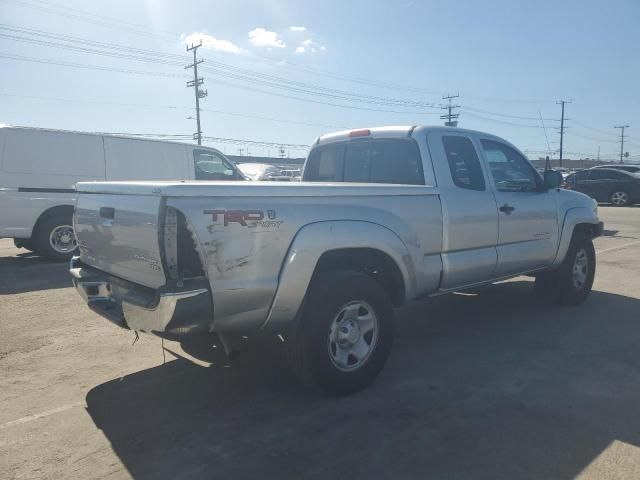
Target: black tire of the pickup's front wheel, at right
<point x="559" y="286"/>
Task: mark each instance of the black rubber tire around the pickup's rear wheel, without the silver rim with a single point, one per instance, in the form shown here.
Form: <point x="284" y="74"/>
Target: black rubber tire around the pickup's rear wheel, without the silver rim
<point x="308" y="341"/>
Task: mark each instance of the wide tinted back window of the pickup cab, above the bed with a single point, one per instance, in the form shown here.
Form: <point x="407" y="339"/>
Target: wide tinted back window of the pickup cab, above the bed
<point x="367" y="161"/>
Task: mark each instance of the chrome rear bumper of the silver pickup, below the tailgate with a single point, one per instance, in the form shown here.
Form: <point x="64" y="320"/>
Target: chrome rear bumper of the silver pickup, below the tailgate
<point x="170" y="312"/>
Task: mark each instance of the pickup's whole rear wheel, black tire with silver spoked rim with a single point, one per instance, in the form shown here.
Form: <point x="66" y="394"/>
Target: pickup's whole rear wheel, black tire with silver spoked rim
<point x="327" y="347"/>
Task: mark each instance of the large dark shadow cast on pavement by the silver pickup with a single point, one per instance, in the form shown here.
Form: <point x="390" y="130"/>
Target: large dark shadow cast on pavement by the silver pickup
<point x="490" y="385"/>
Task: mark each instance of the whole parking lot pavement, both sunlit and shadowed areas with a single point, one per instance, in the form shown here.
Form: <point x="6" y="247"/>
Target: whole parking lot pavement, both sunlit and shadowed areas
<point x="488" y="384"/>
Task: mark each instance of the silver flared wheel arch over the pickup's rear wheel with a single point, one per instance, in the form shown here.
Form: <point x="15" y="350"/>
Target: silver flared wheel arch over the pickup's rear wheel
<point x="362" y="246"/>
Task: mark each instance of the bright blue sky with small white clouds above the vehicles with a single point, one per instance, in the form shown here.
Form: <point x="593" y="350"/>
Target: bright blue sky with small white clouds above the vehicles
<point x="285" y="72"/>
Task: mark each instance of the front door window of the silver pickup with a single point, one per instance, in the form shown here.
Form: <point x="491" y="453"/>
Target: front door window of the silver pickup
<point x="511" y="172"/>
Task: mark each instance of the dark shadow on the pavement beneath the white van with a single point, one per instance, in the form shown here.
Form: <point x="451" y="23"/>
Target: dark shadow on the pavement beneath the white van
<point x="28" y="272"/>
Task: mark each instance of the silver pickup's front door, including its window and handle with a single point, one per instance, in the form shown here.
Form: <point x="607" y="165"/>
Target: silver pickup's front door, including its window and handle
<point x="527" y="213"/>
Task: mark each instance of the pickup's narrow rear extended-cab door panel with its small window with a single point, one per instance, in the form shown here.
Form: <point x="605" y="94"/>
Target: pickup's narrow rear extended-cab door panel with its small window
<point x="469" y="211"/>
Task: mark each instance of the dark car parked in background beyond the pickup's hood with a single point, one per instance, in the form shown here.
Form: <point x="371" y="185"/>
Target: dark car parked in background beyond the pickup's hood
<point x="607" y="185"/>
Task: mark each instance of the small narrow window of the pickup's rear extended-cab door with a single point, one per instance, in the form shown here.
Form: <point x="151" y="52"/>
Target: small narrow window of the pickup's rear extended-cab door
<point x="464" y="163"/>
